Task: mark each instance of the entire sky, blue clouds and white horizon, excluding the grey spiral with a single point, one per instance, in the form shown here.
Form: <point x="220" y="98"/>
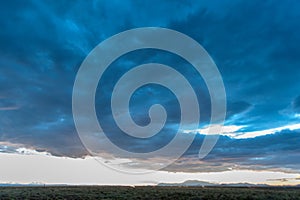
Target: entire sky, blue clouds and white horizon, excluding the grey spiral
<point x="254" y="44"/>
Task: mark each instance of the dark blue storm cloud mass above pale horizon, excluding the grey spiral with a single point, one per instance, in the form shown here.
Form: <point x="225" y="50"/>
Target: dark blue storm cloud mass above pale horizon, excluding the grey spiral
<point x="254" y="44"/>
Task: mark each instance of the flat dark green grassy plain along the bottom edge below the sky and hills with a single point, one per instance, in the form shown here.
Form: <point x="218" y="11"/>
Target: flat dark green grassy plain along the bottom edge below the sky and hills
<point x="147" y="192"/>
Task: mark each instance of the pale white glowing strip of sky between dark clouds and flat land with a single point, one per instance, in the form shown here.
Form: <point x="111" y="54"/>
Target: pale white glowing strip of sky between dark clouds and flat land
<point x="29" y="166"/>
